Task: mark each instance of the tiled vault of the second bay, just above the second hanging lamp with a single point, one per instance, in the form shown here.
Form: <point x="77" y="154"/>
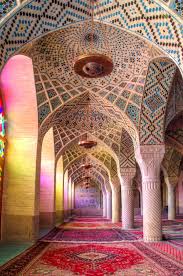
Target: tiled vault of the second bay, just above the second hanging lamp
<point x="86" y="117"/>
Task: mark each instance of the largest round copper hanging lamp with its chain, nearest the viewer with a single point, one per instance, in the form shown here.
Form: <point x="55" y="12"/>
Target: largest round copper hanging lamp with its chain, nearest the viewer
<point x="94" y="64"/>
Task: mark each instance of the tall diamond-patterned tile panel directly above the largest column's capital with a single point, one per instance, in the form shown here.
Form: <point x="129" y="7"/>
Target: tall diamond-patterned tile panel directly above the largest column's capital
<point x="158" y="84"/>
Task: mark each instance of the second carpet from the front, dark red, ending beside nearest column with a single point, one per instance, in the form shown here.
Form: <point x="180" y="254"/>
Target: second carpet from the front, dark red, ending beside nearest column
<point x="88" y="235"/>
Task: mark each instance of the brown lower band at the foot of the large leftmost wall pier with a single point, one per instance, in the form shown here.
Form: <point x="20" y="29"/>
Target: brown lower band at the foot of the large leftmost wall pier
<point x="20" y="228"/>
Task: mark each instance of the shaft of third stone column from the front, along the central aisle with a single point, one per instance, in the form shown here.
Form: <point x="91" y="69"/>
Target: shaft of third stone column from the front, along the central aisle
<point x="115" y="204"/>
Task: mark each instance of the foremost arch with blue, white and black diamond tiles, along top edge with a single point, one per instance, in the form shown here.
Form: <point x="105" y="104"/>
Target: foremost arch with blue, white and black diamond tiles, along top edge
<point x="146" y="18"/>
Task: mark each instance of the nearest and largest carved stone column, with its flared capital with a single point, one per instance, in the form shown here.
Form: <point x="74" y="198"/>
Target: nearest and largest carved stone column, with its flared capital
<point x="149" y="158"/>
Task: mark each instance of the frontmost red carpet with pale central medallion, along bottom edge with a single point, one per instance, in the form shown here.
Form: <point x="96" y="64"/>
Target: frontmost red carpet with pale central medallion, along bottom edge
<point x="127" y="259"/>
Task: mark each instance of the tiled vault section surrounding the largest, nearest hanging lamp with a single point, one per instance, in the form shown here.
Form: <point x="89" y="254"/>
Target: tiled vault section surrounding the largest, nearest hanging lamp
<point x="57" y="83"/>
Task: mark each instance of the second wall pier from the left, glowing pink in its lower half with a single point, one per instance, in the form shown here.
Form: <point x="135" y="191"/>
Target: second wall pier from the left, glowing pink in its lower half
<point x="47" y="181"/>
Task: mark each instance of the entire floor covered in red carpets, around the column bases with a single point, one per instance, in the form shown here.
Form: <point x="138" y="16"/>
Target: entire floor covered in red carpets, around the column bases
<point x="95" y="246"/>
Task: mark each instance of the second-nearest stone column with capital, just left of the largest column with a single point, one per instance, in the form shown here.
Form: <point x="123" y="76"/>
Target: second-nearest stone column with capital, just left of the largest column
<point x="127" y="197"/>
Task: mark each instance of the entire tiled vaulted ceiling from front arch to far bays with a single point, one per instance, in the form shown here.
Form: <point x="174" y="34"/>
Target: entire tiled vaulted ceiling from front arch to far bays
<point x="133" y="105"/>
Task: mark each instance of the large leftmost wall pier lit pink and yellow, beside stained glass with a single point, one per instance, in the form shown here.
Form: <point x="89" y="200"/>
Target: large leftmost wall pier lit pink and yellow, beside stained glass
<point x="20" y="212"/>
